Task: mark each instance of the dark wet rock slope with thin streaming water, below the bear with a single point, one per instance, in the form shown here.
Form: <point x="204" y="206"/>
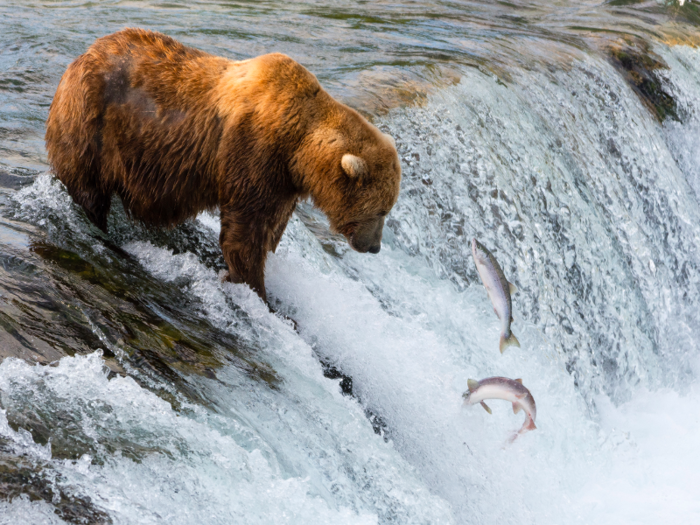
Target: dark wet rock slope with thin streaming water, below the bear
<point x="57" y="302"/>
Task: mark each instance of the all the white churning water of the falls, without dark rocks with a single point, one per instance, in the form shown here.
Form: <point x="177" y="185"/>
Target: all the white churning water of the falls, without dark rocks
<point x="588" y="204"/>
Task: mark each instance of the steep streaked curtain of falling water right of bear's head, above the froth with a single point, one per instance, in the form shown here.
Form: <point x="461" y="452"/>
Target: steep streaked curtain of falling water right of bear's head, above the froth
<point x="573" y="184"/>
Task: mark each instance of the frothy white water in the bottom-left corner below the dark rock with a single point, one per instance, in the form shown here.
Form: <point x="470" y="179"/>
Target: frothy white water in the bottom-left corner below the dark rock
<point x="169" y="466"/>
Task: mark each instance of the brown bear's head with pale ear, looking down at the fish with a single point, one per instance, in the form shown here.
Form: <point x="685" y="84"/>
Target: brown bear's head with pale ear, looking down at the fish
<point x="352" y="172"/>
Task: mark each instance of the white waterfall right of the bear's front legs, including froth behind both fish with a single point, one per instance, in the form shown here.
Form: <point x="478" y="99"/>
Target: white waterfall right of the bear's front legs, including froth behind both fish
<point x="575" y="186"/>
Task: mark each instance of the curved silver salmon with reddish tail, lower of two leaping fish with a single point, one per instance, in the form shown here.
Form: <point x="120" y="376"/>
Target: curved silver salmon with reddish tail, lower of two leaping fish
<point x="503" y="388"/>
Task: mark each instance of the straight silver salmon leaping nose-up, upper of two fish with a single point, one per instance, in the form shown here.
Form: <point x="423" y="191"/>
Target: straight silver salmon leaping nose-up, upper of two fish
<point x="498" y="289"/>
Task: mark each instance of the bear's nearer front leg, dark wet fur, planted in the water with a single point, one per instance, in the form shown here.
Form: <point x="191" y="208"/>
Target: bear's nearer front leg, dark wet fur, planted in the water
<point x="243" y="243"/>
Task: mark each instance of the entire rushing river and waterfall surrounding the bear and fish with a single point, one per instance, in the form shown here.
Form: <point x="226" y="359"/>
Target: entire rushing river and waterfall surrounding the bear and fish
<point x="137" y="388"/>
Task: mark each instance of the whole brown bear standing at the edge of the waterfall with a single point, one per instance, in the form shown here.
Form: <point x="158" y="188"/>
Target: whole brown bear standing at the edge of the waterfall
<point x="174" y="131"/>
